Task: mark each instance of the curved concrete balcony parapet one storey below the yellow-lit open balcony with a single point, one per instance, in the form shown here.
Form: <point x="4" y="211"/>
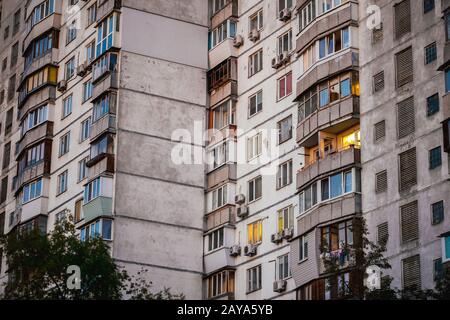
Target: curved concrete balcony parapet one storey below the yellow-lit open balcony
<point x="345" y="206"/>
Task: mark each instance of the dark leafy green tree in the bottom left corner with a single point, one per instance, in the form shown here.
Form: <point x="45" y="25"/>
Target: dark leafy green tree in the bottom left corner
<point x="38" y="264"/>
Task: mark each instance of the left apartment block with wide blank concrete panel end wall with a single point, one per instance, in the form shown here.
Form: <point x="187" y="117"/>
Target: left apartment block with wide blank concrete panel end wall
<point x="92" y="93"/>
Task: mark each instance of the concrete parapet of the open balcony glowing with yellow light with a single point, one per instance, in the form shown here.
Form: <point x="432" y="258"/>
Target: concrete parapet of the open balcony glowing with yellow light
<point x="334" y="161"/>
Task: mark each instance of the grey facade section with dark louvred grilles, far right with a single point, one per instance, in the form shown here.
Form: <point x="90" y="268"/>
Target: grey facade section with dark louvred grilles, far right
<point x="405" y="78"/>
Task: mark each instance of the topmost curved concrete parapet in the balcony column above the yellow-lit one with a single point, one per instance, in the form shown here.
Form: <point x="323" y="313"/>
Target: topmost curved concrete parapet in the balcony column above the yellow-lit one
<point x="338" y="17"/>
